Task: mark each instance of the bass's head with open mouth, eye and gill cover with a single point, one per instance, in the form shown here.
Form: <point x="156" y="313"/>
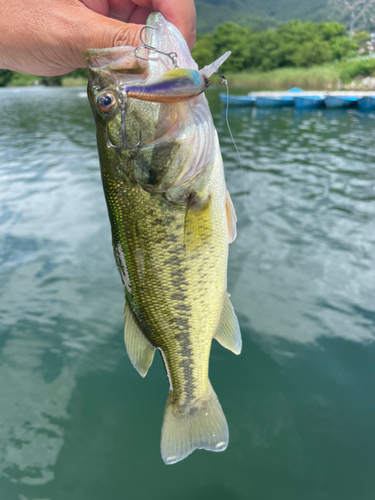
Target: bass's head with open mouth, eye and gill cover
<point x="158" y="145"/>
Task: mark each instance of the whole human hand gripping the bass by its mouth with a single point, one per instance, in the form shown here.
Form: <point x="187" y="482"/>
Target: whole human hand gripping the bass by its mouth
<point x="48" y="37"/>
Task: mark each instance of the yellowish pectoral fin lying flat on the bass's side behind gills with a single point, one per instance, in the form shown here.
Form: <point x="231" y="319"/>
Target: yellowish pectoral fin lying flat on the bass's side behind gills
<point x="198" y="223"/>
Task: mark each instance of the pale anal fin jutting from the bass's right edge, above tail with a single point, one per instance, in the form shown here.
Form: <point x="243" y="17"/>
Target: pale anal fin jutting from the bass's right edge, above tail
<point x="228" y="333"/>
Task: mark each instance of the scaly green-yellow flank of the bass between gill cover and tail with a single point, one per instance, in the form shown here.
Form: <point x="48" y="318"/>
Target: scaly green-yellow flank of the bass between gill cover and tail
<point x="172" y="290"/>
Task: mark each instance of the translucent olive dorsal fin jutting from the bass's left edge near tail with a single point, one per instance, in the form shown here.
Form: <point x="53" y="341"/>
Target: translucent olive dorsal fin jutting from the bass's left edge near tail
<point x="139" y="349"/>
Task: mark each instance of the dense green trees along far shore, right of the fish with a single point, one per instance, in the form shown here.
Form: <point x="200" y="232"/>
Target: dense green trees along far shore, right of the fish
<point x="293" y="44"/>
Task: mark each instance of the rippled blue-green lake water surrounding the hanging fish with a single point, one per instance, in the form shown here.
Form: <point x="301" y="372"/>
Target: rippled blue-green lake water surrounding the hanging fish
<point x="76" y="420"/>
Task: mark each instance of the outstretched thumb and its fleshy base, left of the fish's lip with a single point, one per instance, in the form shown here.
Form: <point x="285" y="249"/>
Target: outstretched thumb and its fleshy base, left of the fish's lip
<point x="48" y="37"/>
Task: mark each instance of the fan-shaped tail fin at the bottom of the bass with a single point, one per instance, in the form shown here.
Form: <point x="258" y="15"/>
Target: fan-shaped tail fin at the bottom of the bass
<point x="201" y="426"/>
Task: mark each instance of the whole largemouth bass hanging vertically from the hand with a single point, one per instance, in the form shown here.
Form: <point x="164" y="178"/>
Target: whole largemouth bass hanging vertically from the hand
<point x="172" y="220"/>
